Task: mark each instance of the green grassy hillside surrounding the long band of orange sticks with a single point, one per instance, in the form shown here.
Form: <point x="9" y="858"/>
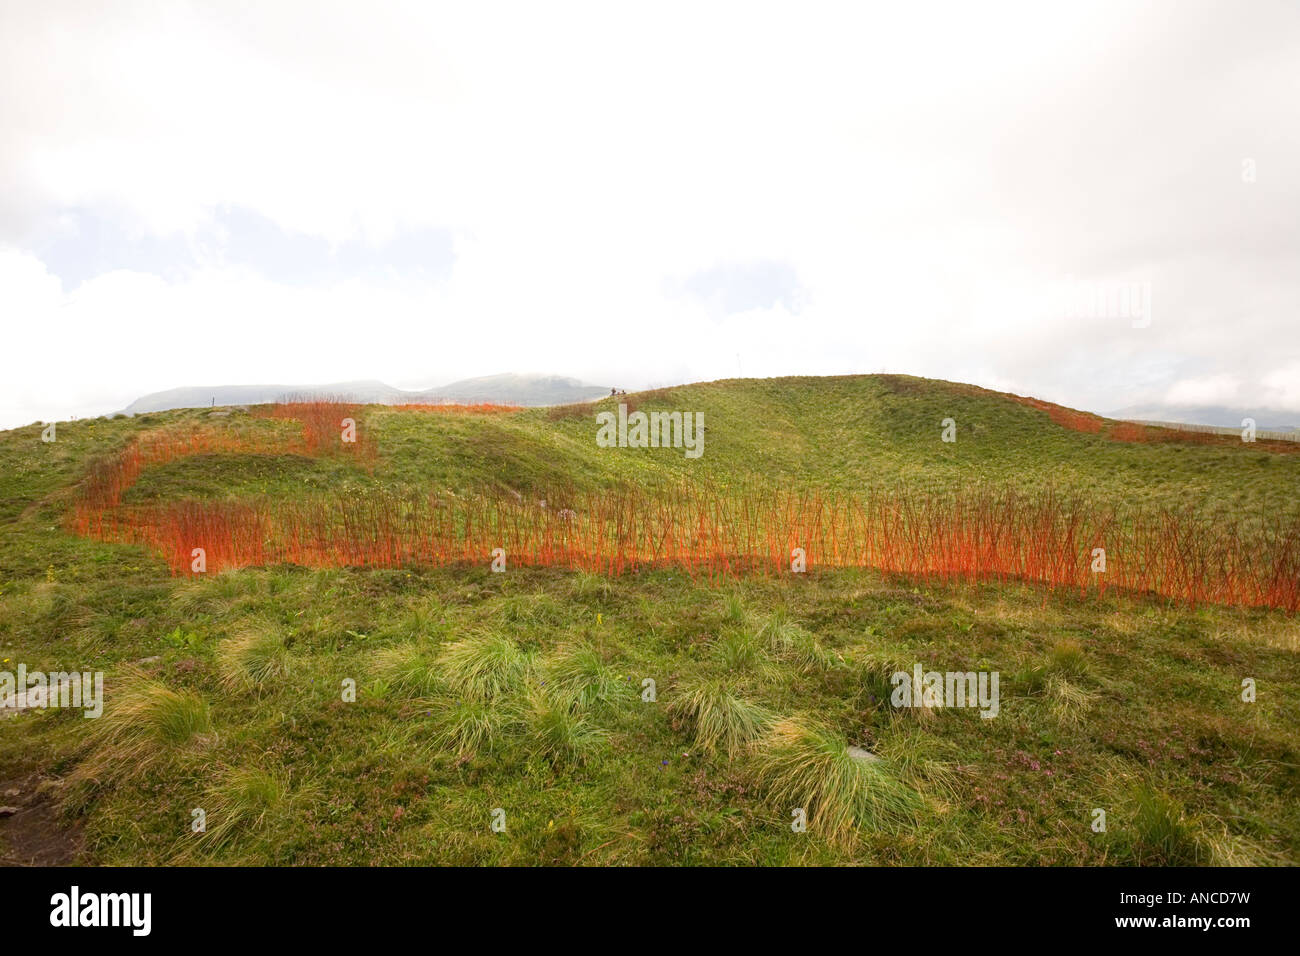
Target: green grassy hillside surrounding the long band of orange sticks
<point x="523" y="691"/>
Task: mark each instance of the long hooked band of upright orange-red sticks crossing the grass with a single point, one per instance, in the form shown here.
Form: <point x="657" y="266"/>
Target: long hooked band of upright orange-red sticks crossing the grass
<point x="982" y="534"/>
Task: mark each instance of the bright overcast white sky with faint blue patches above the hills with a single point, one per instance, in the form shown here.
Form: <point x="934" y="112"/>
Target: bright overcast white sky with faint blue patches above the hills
<point x="644" y="194"/>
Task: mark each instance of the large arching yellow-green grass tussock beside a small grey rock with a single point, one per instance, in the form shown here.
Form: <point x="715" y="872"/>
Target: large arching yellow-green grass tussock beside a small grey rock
<point x="809" y="767"/>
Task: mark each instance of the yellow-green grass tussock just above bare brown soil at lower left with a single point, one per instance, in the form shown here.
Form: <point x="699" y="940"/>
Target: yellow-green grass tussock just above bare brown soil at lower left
<point x="148" y="724"/>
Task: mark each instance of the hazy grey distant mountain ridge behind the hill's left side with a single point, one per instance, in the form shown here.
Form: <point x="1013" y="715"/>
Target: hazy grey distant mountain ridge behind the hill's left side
<point x="505" y="390"/>
